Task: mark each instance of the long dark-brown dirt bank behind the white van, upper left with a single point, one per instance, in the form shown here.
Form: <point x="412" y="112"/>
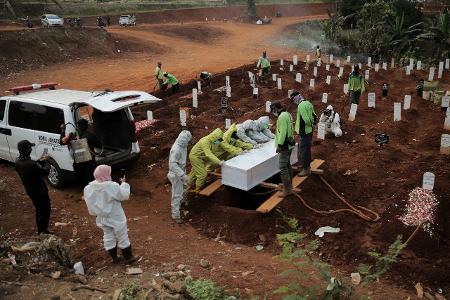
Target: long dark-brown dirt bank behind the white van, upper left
<point x="28" y="49"/>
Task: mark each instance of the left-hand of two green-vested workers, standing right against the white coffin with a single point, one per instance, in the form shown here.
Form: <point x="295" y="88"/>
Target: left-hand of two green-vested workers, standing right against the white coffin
<point x="284" y="143"/>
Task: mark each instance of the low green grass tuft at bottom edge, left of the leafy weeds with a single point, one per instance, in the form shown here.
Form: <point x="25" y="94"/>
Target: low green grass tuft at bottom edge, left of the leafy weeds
<point x="206" y="290"/>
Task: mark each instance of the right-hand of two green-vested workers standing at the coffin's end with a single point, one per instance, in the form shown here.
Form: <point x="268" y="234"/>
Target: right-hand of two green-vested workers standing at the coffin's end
<point x="306" y="118"/>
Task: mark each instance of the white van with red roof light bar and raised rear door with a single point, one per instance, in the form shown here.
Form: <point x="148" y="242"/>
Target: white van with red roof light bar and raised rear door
<point x="37" y="116"/>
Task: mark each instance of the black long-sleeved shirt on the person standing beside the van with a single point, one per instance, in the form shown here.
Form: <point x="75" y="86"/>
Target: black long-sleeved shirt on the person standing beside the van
<point x="30" y="172"/>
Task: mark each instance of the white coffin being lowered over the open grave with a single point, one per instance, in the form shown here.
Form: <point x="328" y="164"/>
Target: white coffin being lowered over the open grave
<point x="250" y="169"/>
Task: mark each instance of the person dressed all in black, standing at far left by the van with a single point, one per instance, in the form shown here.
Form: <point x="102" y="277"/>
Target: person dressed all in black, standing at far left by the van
<point x="30" y="172"/>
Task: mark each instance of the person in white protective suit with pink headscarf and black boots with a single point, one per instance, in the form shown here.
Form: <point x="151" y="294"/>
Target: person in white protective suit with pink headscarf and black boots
<point x="103" y="198"/>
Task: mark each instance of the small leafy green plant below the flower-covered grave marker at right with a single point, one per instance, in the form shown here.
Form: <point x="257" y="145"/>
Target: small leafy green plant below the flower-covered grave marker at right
<point x="382" y="262"/>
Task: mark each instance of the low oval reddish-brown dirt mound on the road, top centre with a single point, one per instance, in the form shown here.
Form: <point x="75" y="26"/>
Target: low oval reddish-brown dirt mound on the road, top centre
<point x="196" y="33"/>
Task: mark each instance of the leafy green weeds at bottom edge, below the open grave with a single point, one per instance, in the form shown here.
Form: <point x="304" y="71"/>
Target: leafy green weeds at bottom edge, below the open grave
<point x="299" y="254"/>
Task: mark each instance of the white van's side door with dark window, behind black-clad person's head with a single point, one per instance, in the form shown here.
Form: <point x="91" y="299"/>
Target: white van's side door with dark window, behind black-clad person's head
<point x="21" y="123"/>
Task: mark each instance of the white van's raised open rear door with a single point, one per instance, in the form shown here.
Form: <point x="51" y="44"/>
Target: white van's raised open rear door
<point x="114" y="101"/>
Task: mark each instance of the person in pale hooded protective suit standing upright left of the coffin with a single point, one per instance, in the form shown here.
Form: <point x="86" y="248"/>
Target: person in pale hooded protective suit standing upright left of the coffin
<point x="177" y="172"/>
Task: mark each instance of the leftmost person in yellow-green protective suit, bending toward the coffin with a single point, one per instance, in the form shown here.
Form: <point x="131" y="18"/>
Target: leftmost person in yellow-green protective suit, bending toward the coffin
<point x="202" y="156"/>
